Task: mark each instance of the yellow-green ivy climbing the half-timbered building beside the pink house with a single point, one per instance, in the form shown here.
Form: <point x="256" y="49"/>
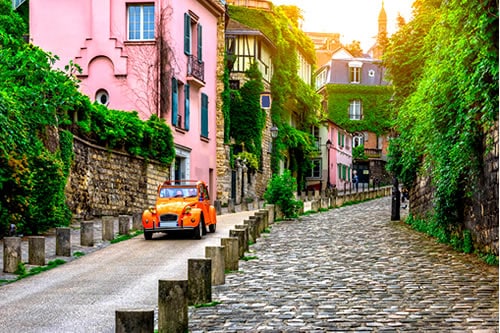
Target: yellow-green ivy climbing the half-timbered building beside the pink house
<point x="291" y="95"/>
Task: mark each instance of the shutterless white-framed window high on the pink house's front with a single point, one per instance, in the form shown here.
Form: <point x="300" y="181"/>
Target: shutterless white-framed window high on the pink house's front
<point x="141" y="22"/>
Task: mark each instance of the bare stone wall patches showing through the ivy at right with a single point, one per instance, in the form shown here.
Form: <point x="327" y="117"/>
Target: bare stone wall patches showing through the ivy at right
<point x="480" y="211"/>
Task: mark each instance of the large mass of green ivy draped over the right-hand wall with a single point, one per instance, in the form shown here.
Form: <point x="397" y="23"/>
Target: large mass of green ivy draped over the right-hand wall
<point x="444" y="65"/>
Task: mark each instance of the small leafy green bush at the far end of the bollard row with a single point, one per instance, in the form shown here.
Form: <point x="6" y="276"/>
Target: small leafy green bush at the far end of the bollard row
<point x="280" y="191"/>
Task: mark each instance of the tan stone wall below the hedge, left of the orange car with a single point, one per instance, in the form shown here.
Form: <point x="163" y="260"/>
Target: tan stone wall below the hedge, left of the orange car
<point x="107" y="182"/>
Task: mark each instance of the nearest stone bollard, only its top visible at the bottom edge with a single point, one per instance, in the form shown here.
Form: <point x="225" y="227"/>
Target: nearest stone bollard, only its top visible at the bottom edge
<point x="134" y="321"/>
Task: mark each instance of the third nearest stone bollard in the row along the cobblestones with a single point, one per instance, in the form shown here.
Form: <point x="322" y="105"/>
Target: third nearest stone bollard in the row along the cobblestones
<point x="199" y="281"/>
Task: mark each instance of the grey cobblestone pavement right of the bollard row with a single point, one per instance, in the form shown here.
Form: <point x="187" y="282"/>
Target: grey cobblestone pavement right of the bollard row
<point x="352" y="270"/>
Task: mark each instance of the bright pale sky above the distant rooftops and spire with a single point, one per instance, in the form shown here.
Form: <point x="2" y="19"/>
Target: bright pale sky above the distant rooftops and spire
<point x="352" y="19"/>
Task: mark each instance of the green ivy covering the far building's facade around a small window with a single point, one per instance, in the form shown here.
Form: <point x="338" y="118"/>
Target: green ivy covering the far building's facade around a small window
<point x="377" y="115"/>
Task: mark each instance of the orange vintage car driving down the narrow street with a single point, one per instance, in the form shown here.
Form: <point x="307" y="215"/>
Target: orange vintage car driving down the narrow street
<point x="181" y="205"/>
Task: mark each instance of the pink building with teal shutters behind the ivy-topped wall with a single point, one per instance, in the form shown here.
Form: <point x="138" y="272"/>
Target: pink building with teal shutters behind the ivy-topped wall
<point x="157" y="57"/>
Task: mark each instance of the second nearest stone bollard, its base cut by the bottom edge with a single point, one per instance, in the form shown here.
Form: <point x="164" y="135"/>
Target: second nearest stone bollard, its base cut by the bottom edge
<point x="172" y="306"/>
